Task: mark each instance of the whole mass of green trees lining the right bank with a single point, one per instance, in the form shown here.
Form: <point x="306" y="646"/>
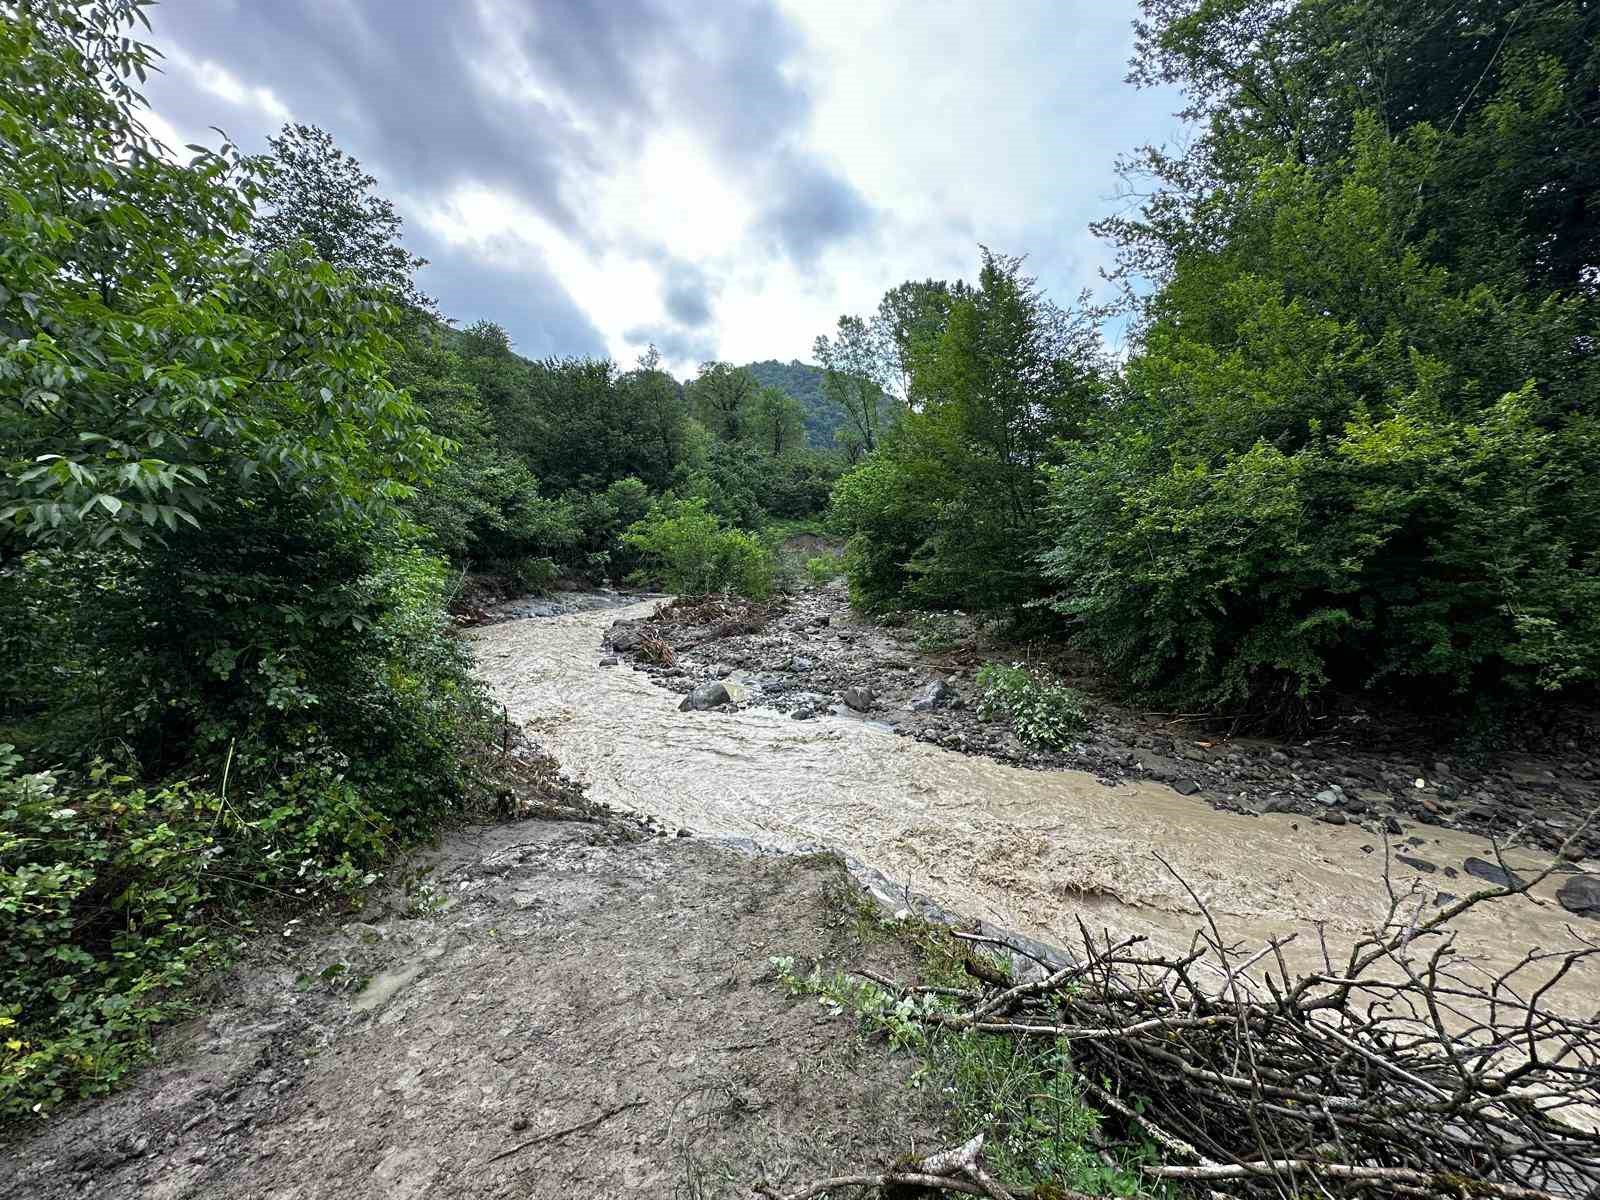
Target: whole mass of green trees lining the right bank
<point x="1351" y="446"/>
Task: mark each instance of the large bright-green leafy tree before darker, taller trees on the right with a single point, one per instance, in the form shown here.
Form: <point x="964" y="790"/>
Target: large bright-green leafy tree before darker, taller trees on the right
<point x="1340" y="465"/>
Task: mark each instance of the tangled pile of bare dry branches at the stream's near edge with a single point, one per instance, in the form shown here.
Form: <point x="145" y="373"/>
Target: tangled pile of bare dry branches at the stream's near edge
<point x="1401" y="1070"/>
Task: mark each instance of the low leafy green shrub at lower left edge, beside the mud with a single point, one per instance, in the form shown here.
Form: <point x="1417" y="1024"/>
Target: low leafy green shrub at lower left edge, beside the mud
<point x="102" y="927"/>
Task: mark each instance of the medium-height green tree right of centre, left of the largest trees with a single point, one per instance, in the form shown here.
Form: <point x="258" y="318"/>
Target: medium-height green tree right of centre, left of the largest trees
<point x="948" y="514"/>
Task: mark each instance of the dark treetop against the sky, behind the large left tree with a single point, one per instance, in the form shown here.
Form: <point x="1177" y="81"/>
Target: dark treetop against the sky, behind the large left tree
<point x="316" y="193"/>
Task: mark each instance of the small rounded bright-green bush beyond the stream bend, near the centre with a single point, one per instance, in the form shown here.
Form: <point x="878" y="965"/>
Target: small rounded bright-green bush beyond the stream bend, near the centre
<point x="687" y="550"/>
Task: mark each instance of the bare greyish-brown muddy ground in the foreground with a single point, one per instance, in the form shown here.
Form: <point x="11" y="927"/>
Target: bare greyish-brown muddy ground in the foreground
<point x="591" y="993"/>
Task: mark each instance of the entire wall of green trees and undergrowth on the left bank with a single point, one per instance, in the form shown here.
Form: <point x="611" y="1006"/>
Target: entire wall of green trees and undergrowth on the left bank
<point x="209" y="574"/>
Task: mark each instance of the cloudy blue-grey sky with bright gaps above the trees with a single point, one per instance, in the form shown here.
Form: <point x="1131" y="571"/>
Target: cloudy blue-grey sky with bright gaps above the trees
<point x="719" y="178"/>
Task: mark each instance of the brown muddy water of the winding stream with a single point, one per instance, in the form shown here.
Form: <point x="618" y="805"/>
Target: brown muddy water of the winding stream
<point x="1028" y="850"/>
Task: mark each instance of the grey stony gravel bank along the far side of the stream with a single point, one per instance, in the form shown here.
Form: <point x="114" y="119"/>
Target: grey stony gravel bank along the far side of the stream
<point x="810" y="654"/>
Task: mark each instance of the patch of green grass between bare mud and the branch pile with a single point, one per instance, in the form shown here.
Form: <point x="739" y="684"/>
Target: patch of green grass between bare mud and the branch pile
<point x="1023" y="1097"/>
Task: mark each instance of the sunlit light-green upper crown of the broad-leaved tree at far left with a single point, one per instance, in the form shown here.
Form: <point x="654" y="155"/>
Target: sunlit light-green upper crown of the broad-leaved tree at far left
<point x="146" y="366"/>
